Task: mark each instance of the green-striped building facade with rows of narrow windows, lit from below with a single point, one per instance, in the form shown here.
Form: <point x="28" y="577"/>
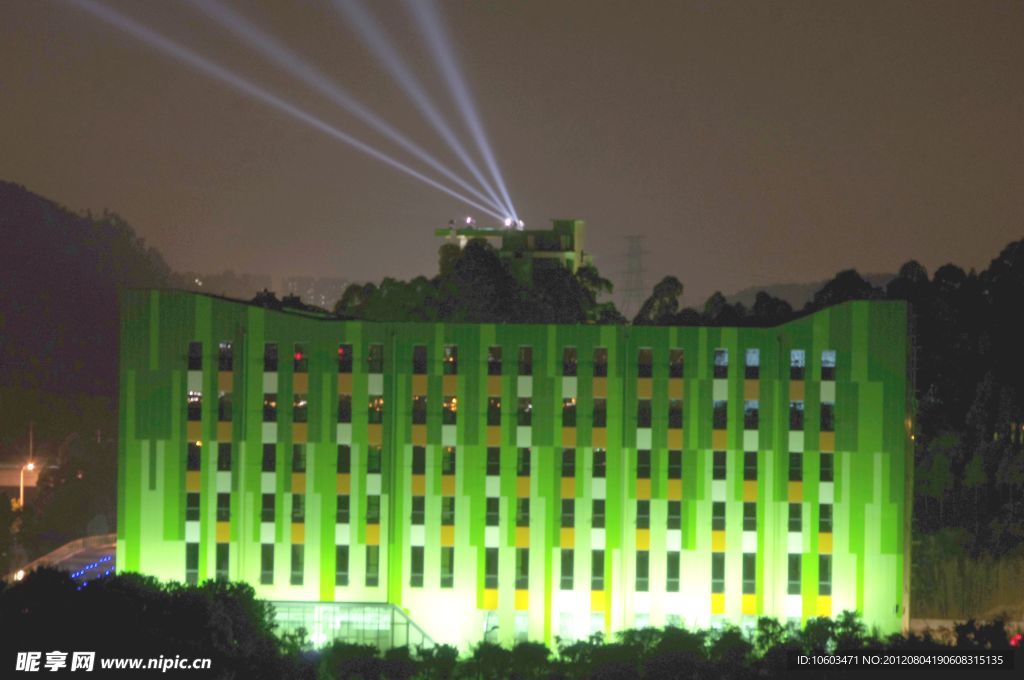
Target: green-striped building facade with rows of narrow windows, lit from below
<point x="521" y="482"/>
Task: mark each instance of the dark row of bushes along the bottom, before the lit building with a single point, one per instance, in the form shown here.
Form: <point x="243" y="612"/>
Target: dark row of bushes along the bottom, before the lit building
<point x="135" y="616"/>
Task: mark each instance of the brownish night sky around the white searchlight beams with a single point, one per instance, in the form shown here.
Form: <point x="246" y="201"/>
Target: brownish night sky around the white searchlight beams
<point x="749" y="143"/>
